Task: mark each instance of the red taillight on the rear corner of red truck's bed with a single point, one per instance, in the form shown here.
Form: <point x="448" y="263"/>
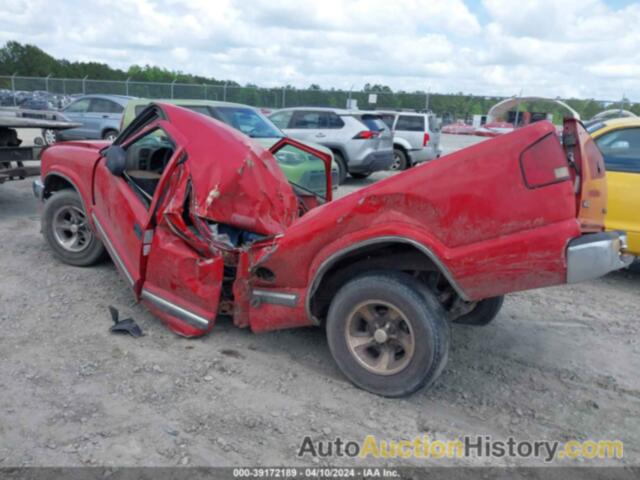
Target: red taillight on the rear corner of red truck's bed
<point x="544" y="163"/>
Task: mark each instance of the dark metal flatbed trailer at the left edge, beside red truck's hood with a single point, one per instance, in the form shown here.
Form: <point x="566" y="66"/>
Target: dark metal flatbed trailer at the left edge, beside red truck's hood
<point x="13" y="155"/>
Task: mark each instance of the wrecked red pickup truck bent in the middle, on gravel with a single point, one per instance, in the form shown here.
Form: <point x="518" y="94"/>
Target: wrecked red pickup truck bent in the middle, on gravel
<point x="201" y="222"/>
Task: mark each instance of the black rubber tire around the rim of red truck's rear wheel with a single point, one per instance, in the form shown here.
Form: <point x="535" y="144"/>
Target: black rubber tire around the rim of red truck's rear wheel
<point x="428" y="327"/>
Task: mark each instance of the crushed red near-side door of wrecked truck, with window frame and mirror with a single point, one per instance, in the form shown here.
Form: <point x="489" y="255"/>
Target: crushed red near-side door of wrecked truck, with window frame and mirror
<point x="136" y="190"/>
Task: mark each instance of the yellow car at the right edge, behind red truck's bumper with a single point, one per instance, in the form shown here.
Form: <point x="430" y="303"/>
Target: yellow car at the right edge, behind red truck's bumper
<point x="619" y="142"/>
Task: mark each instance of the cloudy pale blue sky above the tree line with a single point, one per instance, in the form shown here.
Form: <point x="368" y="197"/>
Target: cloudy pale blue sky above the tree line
<point x="582" y="48"/>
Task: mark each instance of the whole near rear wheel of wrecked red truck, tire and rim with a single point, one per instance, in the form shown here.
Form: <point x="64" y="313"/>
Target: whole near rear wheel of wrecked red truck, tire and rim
<point x="387" y="335"/>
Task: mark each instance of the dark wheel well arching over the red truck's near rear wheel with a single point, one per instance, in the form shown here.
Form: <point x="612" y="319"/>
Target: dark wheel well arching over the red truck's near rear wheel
<point x="389" y="256"/>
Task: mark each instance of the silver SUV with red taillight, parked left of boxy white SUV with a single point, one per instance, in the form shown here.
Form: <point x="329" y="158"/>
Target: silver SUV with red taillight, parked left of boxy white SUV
<point x="360" y="141"/>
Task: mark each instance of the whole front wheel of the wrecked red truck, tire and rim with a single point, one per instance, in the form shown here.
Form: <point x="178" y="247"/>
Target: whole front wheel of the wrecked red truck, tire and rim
<point x="66" y="228"/>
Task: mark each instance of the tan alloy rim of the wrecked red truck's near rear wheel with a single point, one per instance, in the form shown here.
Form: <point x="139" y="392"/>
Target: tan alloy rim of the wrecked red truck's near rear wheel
<point x="380" y="337"/>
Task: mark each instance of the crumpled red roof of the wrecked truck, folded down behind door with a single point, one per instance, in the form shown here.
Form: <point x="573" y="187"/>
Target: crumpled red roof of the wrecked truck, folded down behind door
<point x="233" y="179"/>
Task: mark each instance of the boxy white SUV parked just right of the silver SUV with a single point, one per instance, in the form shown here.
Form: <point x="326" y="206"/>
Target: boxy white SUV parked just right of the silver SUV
<point x="416" y="137"/>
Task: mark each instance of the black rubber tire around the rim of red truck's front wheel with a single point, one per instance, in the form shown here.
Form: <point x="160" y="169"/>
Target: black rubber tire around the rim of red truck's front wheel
<point x="91" y="250"/>
